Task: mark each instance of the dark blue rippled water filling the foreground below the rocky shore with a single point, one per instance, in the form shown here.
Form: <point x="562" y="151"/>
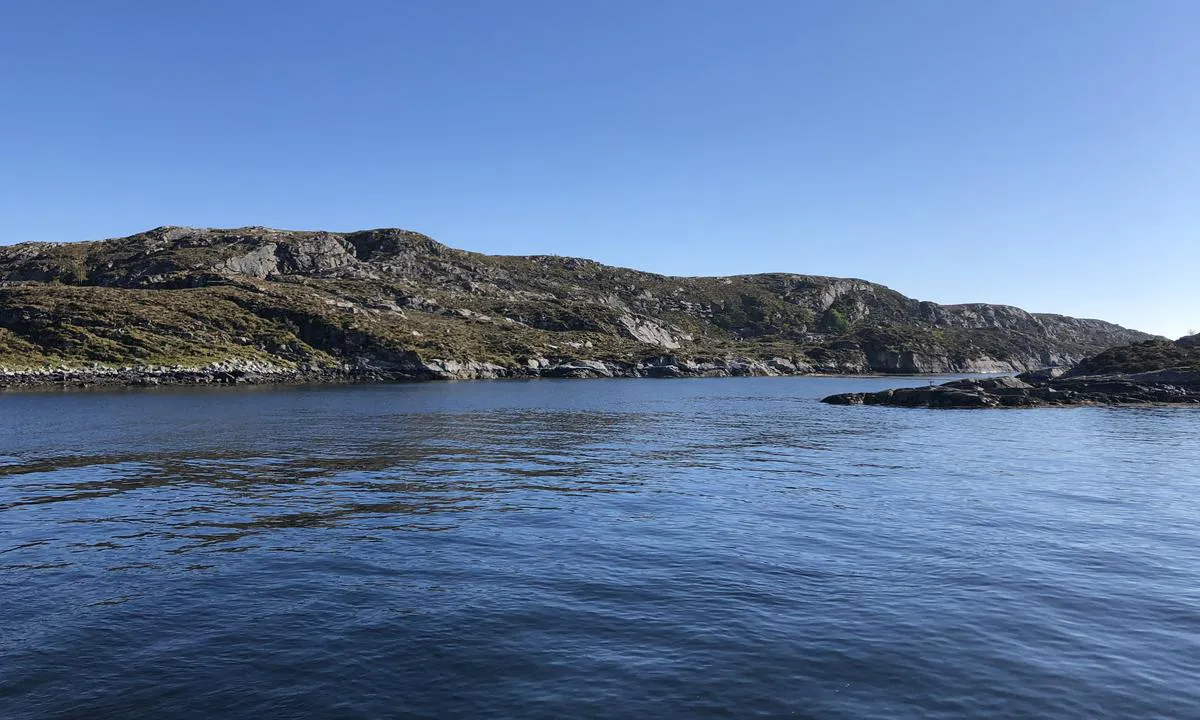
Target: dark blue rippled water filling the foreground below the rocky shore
<point x="593" y="549"/>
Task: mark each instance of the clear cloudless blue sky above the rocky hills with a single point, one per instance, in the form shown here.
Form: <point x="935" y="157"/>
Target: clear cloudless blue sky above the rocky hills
<point x="1041" y="154"/>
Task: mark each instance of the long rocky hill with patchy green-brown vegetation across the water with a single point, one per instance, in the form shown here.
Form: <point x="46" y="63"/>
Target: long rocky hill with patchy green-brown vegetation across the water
<point x="257" y="304"/>
